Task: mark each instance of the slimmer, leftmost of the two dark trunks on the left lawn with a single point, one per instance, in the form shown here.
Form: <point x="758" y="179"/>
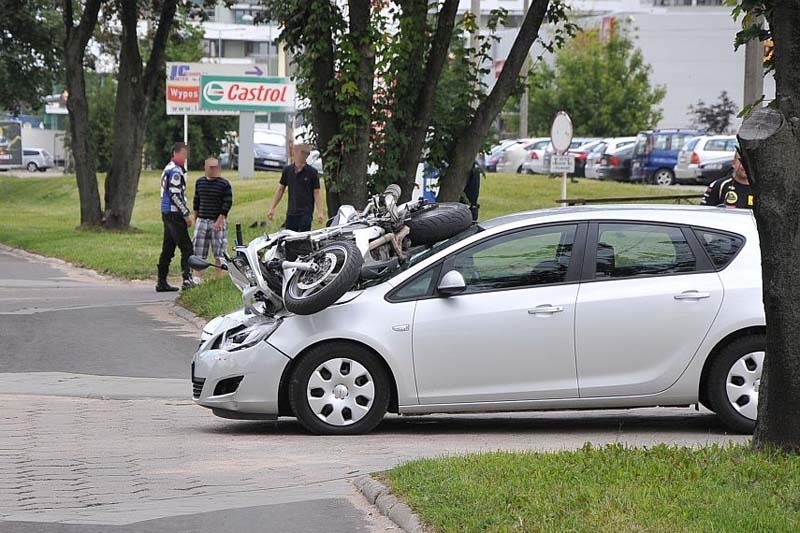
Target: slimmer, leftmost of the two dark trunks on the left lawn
<point x="75" y="41"/>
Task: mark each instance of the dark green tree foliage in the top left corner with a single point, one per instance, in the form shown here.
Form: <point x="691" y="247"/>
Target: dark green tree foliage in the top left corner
<point x="31" y="50"/>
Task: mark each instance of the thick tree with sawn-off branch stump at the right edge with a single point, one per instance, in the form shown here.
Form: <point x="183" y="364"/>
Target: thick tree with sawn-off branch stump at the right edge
<point x="770" y="139"/>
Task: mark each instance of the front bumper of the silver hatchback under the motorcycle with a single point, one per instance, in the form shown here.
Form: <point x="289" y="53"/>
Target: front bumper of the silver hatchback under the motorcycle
<point x="258" y="371"/>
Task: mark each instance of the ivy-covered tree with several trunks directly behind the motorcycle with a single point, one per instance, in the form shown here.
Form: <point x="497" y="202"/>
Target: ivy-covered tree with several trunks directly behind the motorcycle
<point x="371" y="73"/>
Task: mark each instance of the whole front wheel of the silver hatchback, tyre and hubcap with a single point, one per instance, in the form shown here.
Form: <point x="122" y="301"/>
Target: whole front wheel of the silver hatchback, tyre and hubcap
<point x="339" y="389"/>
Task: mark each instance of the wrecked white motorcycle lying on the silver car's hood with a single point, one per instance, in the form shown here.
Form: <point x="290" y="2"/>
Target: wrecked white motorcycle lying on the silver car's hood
<point x="305" y="272"/>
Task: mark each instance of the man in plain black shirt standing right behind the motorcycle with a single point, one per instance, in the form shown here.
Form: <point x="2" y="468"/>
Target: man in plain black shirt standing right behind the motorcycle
<point x="303" y="183"/>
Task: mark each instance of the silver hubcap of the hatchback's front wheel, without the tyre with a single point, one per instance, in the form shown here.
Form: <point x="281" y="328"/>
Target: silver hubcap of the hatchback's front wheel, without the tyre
<point x="340" y="391"/>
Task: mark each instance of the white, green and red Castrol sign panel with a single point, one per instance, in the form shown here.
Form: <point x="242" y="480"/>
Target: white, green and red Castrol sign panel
<point x="240" y="93"/>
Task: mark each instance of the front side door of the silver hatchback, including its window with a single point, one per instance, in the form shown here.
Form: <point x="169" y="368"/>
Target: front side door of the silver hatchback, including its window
<point x="509" y="335"/>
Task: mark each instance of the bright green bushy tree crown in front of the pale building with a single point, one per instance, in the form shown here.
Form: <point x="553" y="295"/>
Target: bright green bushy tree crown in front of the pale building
<point x="604" y="85"/>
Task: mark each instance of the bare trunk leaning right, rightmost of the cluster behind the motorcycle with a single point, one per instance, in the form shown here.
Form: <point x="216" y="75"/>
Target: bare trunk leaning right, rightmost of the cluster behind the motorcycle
<point x="465" y="147"/>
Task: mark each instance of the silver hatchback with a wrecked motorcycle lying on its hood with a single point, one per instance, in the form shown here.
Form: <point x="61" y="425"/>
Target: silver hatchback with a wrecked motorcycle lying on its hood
<point x="573" y="308"/>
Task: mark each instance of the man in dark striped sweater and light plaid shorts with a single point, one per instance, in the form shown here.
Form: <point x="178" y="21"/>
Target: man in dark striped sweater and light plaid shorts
<point x="213" y="198"/>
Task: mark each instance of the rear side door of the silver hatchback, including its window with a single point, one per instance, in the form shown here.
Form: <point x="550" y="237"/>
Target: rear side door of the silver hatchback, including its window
<point x="648" y="298"/>
